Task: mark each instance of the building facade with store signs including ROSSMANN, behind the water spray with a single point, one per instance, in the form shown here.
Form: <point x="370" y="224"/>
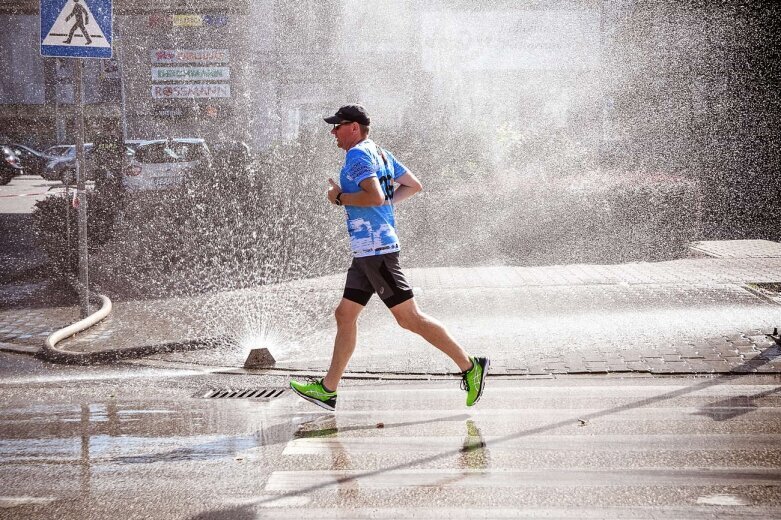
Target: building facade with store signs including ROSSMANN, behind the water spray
<point x="265" y="70"/>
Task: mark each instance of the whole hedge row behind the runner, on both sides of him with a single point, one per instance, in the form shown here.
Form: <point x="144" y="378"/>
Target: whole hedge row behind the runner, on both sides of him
<point x="269" y="221"/>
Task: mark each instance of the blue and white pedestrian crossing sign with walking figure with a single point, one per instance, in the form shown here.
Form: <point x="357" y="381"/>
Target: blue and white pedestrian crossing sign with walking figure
<point x="76" y="28"/>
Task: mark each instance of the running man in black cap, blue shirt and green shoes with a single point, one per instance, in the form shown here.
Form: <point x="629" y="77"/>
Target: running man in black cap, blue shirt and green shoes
<point x="372" y="181"/>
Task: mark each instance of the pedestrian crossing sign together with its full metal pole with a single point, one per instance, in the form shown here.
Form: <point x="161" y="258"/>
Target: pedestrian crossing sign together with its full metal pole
<point x="78" y="29"/>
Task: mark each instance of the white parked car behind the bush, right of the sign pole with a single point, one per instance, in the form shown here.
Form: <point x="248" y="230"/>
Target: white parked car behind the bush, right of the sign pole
<point x="164" y="163"/>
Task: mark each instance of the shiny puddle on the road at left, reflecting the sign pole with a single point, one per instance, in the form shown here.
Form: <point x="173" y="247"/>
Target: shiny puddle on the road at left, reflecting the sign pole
<point x="128" y="433"/>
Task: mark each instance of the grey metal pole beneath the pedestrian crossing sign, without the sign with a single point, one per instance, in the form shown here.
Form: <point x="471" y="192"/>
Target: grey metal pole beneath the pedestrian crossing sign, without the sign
<point x="81" y="194"/>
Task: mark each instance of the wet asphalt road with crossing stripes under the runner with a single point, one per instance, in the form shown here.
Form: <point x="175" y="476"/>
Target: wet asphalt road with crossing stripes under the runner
<point x="134" y="442"/>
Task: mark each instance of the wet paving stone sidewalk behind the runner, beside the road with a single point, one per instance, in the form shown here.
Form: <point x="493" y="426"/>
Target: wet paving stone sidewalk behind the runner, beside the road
<point x="698" y="315"/>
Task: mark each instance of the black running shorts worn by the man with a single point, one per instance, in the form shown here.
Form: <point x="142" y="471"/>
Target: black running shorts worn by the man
<point x="381" y="274"/>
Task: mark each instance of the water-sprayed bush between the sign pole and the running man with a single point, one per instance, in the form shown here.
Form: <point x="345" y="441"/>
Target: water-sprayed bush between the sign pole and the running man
<point x="230" y="228"/>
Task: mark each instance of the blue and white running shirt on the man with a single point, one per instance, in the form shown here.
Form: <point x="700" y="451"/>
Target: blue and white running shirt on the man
<point x="372" y="230"/>
